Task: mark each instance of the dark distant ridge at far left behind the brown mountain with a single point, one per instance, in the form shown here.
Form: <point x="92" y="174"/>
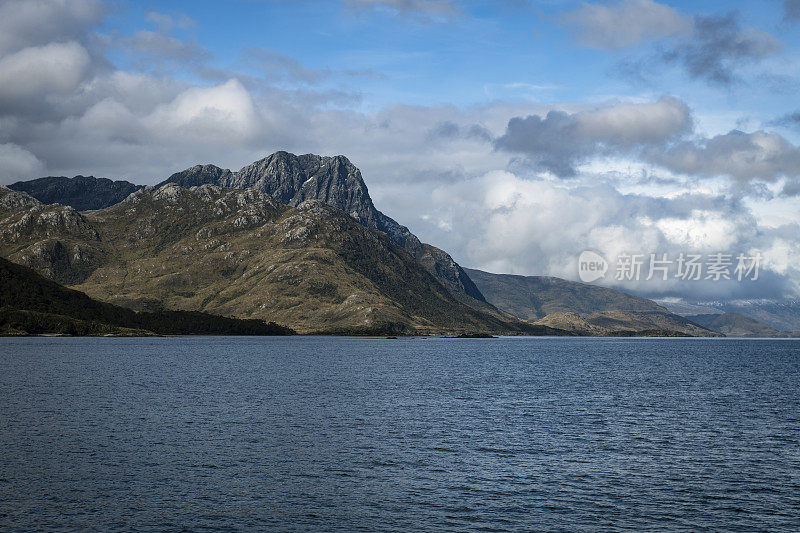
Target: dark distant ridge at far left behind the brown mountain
<point x="81" y="192"/>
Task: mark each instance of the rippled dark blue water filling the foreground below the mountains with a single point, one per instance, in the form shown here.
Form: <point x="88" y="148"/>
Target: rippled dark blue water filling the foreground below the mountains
<point x="426" y="434"/>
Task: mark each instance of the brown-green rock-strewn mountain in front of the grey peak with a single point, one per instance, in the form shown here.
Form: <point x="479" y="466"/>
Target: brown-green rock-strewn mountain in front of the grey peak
<point x="238" y="253"/>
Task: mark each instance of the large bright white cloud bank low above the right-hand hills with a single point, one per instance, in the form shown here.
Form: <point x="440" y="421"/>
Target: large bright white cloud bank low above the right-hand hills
<point x="503" y="223"/>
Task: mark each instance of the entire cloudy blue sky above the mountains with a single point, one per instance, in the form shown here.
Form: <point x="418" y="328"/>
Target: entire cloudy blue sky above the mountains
<point x="514" y="134"/>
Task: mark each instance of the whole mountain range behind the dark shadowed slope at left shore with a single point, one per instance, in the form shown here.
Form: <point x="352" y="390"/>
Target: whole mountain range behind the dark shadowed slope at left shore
<point x="290" y="239"/>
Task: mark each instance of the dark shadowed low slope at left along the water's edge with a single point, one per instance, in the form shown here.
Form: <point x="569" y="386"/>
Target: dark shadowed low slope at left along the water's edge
<point x="35" y="305"/>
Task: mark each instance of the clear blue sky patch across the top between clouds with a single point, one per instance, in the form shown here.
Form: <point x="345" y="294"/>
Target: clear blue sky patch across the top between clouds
<point x="485" y="50"/>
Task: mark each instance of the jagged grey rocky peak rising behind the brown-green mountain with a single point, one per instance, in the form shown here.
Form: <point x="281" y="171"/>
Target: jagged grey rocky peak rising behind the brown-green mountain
<point x="293" y="179"/>
